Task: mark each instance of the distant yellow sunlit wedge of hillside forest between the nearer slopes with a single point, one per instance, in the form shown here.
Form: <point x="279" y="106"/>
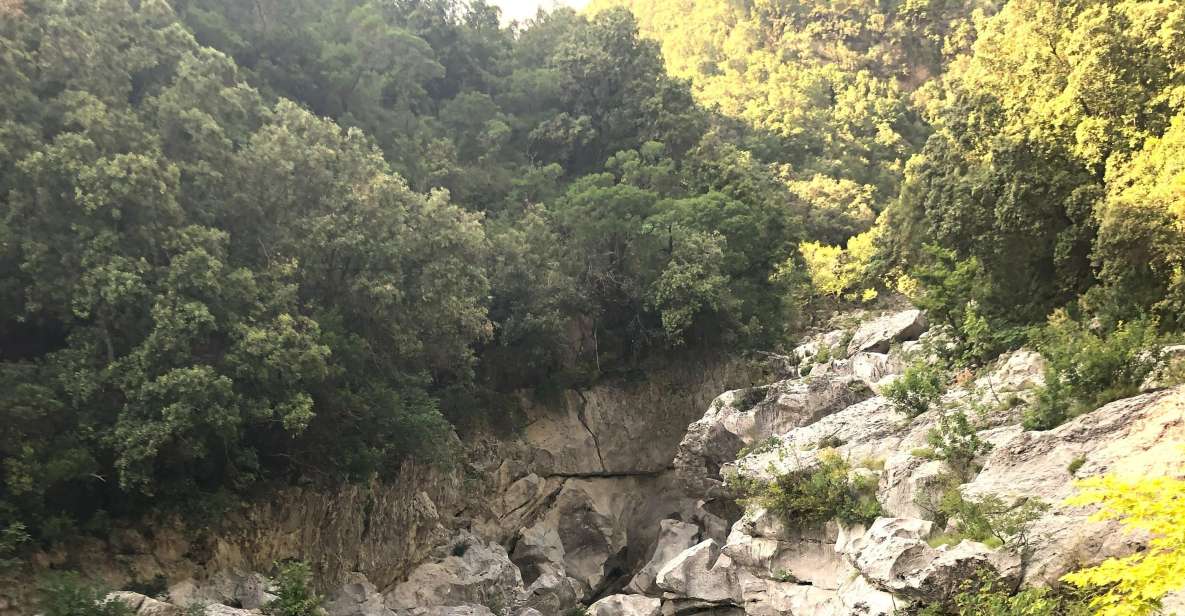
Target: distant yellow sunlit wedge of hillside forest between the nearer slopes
<point x="829" y="85"/>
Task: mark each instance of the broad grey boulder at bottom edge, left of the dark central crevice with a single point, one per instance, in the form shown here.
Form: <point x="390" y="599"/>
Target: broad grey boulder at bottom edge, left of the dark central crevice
<point x="470" y="572"/>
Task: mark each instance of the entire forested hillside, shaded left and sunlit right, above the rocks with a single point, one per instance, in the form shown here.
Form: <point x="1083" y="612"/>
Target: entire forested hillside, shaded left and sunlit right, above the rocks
<point x="257" y="243"/>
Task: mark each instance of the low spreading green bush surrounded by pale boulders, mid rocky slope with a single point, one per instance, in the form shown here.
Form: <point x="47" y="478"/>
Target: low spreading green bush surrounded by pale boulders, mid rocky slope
<point x="811" y="497"/>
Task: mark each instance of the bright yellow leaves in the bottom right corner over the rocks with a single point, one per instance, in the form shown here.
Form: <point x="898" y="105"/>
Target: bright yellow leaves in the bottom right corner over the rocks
<point x="1137" y="583"/>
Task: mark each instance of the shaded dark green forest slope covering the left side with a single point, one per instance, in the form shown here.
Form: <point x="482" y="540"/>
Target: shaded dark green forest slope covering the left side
<point x="245" y="243"/>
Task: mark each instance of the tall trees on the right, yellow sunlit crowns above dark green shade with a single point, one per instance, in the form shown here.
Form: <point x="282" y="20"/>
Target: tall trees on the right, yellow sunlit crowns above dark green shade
<point x="1055" y="163"/>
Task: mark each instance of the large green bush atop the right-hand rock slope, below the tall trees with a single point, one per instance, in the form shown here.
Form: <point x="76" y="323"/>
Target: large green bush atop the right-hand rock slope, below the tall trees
<point x="1087" y="369"/>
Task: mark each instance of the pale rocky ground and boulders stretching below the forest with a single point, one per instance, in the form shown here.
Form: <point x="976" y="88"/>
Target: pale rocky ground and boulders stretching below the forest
<point x="618" y="504"/>
